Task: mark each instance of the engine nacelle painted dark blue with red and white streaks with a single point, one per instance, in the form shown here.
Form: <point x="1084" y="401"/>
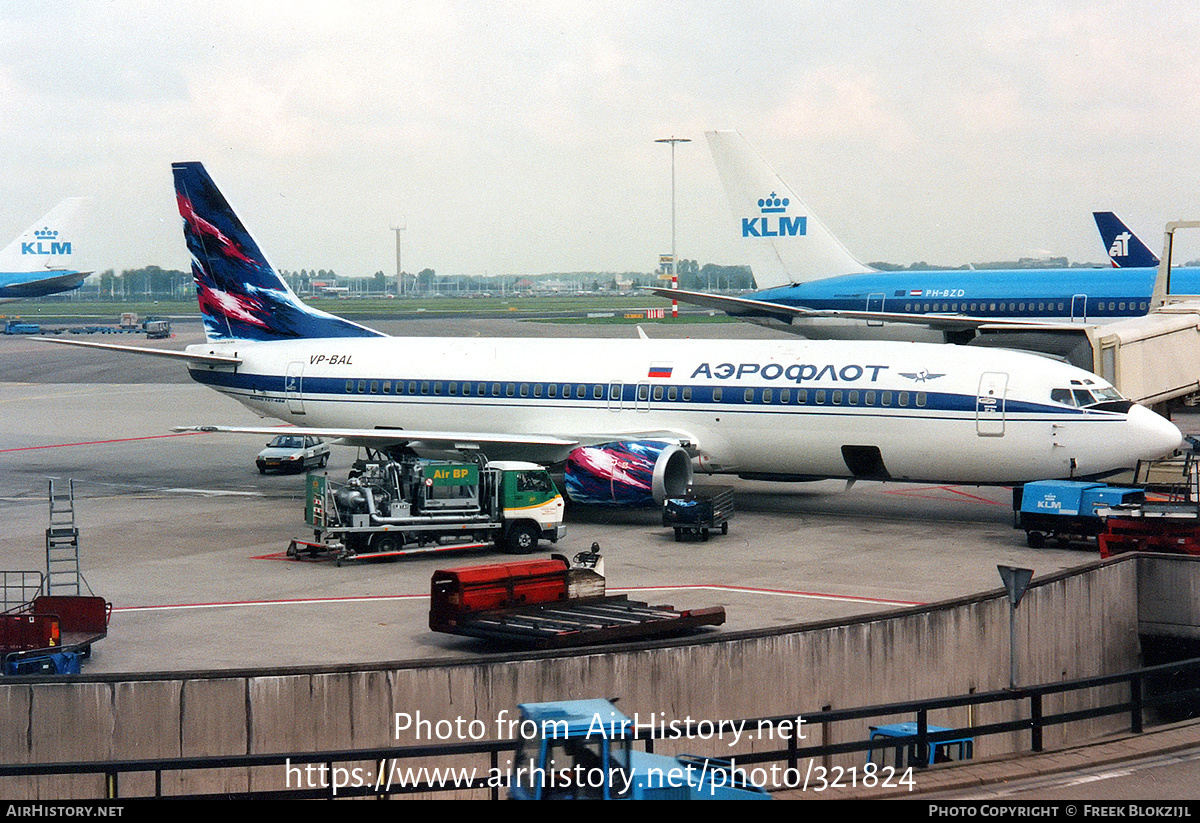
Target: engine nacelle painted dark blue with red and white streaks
<point x="629" y="473"/>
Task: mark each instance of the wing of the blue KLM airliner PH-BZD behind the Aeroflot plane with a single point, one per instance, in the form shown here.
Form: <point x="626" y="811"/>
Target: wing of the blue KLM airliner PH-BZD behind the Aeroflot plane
<point x="748" y="309"/>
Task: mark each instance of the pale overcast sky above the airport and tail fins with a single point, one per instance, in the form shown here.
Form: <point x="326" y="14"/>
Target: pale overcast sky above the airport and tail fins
<point x="519" y="137"/>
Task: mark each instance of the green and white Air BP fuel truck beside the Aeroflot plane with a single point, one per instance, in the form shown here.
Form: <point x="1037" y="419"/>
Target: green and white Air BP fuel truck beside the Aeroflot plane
<point x="405" y="507"/>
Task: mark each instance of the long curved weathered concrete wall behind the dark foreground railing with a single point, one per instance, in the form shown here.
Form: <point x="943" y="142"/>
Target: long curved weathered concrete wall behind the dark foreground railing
<point x="1071" y="626"/>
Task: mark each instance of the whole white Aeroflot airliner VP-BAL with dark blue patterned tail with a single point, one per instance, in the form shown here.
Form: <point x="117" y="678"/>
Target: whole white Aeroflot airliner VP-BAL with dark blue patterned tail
<point x="632" y="418"/>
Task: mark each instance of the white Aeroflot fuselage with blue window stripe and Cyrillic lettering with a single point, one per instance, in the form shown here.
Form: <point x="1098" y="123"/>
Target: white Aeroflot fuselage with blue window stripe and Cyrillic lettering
<point x="789" y="409"/>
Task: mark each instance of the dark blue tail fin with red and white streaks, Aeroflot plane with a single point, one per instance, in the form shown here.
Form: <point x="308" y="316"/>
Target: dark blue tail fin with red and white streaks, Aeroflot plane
<point x="242" y="297"/>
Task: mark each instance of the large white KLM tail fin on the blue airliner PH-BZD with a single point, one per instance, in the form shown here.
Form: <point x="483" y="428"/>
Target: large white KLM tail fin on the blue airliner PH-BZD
<point x="789" y="243"/>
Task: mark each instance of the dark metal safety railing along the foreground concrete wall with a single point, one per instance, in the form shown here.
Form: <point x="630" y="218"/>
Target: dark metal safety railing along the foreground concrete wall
<point x="401" y="771"/>
